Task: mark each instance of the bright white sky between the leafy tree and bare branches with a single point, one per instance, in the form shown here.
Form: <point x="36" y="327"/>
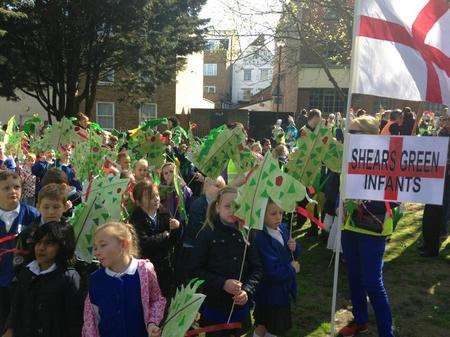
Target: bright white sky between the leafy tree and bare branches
<point x="249" y="17"/>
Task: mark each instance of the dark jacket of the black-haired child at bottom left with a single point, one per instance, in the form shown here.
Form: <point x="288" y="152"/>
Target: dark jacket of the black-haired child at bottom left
<point x="47" y="305"/>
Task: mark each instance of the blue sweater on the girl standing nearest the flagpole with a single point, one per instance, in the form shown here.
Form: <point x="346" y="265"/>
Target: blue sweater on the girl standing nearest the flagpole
<point x="279" y="280"/>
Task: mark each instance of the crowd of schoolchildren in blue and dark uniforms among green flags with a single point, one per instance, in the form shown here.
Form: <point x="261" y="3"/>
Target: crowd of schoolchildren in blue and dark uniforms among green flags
<point x="46" y="291"/>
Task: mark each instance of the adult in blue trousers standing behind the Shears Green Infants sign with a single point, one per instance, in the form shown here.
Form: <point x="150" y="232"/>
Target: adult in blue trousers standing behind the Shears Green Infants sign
<point x="363" y="244"/>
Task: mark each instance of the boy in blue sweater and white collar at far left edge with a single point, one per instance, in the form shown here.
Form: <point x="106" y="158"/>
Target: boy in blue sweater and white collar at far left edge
<point x="14" y="217"/>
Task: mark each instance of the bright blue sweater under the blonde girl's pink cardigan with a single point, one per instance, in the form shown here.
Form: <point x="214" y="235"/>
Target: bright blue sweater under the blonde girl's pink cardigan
<point x="119" y="303"/>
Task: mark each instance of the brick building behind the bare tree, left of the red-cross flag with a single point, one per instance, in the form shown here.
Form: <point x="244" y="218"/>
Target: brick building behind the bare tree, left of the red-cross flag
<point x="304" y="84"/>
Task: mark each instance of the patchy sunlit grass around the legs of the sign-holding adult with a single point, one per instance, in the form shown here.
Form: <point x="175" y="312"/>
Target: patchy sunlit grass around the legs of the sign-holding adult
<point x="418" y="288"/>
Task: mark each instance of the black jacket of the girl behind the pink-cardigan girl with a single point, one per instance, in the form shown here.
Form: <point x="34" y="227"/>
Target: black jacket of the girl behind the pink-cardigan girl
<point x="157" y="243"/>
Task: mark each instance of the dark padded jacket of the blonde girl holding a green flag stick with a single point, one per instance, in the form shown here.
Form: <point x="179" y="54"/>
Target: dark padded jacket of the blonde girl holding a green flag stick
<point x="217" y="257"/>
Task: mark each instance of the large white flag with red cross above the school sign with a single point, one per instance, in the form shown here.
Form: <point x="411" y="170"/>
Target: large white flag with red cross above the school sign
<point x="403" y="50"/>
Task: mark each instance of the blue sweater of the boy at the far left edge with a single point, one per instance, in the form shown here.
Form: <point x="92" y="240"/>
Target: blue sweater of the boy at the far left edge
<point x="27" y="216"/>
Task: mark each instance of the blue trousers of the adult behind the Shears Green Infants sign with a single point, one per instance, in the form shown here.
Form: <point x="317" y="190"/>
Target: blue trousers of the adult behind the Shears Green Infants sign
<point x="364" y="257"/>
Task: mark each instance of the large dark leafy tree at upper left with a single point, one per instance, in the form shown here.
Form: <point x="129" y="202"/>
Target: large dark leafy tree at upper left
<point x="59" y="50"/>
